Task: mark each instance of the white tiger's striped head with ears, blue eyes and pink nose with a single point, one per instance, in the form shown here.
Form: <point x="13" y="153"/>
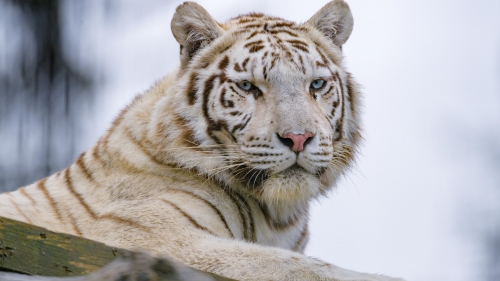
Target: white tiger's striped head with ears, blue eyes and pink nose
<point x="264" y="105"/>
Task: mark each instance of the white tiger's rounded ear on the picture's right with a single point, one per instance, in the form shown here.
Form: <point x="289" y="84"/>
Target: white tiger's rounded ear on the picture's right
<point x="335" y="21"/>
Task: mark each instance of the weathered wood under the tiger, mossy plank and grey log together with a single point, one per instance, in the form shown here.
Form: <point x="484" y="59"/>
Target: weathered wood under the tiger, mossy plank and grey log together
<point x="33" y="250"/>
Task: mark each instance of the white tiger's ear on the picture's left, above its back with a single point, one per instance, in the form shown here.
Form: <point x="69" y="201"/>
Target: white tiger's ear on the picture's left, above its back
<point x="193" y="28"/>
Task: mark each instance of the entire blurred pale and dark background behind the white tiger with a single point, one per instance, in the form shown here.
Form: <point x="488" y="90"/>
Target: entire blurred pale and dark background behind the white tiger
<point x="424" y="199"/>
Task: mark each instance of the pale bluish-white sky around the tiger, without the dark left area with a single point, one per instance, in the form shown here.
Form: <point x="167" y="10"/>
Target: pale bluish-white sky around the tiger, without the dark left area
<point x="426" y="189"/>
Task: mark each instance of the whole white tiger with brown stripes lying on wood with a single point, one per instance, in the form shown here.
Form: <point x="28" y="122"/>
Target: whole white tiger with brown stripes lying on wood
<point x="216" y="164"/>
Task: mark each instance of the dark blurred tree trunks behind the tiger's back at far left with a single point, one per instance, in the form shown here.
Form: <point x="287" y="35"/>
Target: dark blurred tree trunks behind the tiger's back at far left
<point x="43" y="98"/>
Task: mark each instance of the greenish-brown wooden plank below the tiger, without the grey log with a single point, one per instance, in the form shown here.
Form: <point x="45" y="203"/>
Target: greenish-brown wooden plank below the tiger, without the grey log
<point x="34" y="250"/>
